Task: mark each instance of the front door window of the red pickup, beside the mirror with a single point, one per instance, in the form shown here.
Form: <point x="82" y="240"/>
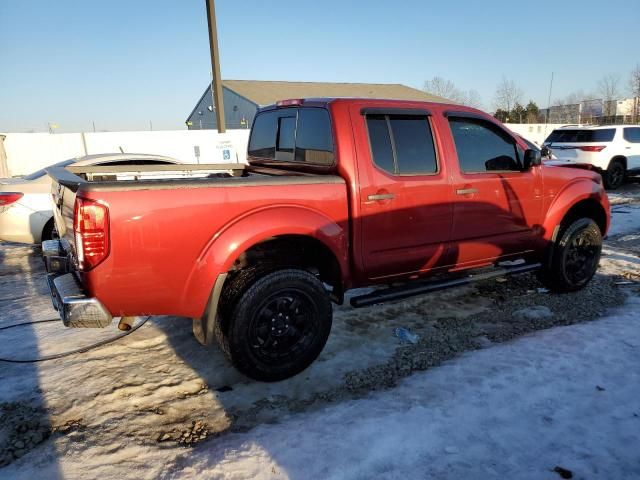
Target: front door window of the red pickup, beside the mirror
<point x="483" y="147"/>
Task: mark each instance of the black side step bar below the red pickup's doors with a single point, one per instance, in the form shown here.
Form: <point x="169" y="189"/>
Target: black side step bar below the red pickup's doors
<point x="419" y="287"/>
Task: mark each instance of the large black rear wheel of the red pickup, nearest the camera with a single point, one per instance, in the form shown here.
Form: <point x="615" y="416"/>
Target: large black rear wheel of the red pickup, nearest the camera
<point x="278" y="325"/>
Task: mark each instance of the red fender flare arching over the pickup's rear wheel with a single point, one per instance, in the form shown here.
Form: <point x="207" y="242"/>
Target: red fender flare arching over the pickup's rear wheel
<point x="235" y="238"/>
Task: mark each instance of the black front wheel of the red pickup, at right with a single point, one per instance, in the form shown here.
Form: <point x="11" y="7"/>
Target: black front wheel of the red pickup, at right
<point x="575" y="256"/>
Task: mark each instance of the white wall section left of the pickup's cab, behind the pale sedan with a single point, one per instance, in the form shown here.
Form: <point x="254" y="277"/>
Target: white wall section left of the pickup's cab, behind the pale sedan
<point x="28" y="152"/>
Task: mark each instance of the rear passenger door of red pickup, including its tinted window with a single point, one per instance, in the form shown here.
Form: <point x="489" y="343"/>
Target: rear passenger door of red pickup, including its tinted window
<point x="405" y="212"/>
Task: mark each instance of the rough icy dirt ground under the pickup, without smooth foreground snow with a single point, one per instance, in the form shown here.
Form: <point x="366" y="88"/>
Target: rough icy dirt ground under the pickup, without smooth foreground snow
<point x="158" y="390"/>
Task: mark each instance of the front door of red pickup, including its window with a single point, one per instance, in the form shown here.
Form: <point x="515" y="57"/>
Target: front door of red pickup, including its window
<point x="498" y="205"/>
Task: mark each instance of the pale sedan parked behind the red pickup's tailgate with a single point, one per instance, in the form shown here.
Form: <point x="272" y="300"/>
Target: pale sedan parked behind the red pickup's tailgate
<point x="25" y="202"/>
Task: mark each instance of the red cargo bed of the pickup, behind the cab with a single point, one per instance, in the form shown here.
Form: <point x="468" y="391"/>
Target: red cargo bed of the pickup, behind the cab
<point x="165" y="220"/>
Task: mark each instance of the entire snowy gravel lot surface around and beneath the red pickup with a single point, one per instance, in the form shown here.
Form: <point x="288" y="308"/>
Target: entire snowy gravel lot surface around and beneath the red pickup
<point x="156" y="404"/>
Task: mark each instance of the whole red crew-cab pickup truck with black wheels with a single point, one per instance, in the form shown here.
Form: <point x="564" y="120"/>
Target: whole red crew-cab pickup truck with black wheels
<point x="337" y="194"/>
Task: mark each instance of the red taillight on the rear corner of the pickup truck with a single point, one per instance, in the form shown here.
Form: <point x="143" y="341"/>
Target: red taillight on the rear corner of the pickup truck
<point x="91" y="228"/>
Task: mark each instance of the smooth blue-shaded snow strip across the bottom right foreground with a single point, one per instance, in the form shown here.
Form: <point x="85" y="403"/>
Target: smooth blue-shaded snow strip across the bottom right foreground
<point x="565" y="397"/>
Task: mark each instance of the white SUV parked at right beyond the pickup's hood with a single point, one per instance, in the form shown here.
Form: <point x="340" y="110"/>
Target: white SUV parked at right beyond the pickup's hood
<point x="612" y="150"/>
